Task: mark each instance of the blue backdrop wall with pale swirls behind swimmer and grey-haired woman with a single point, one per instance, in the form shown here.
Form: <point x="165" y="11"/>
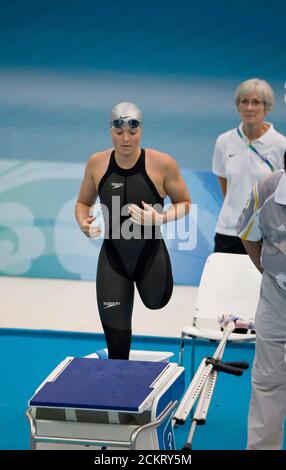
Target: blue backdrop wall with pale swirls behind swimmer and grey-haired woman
<point x="64" y="64"/>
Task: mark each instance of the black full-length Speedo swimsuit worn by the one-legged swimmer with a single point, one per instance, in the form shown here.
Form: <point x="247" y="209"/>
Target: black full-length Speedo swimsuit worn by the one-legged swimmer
<point x="130" y="253"/>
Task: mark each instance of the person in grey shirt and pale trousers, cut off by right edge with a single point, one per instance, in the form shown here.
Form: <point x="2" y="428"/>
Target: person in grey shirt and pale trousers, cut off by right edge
<point x="262" y="228"/>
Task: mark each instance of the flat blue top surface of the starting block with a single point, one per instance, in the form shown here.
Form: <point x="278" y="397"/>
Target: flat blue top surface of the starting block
<point x="100" y="384"/>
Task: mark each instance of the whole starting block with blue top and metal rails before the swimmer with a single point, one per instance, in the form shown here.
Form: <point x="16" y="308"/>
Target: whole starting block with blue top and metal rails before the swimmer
<point x="107" y="404"/>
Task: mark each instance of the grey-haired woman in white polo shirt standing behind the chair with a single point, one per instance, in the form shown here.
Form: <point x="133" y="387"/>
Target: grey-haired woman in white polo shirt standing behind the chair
<point x="243" y="155"/>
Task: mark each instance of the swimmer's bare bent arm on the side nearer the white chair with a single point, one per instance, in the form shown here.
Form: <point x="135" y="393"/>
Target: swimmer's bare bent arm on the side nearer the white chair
<point x="176" y="188"/>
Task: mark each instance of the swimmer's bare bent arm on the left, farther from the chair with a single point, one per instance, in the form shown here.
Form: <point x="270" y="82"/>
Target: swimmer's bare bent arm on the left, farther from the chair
<point x="86" y="198"/>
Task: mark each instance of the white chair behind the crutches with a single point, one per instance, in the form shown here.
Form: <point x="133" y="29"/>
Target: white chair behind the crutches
<point x="230" y="284"/>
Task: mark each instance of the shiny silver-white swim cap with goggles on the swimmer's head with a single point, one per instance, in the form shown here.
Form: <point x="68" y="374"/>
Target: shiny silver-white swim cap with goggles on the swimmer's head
<point x="126" y="113"/>
